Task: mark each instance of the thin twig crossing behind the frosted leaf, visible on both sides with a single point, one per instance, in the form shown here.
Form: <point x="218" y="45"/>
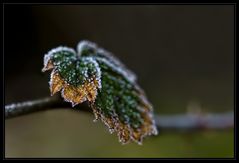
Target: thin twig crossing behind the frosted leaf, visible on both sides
<point x="187" y="121"/>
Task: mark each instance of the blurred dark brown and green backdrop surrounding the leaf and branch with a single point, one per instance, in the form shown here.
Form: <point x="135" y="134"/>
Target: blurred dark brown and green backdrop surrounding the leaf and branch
<point x="181" y="54"/>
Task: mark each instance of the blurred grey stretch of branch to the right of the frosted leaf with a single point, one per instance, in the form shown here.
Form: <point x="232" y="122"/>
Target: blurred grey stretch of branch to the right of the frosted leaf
<point x="191" y="121"/>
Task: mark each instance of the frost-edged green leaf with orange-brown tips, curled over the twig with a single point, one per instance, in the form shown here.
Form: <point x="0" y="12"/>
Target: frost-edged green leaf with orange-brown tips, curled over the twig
<point x="93" y="74"/>
